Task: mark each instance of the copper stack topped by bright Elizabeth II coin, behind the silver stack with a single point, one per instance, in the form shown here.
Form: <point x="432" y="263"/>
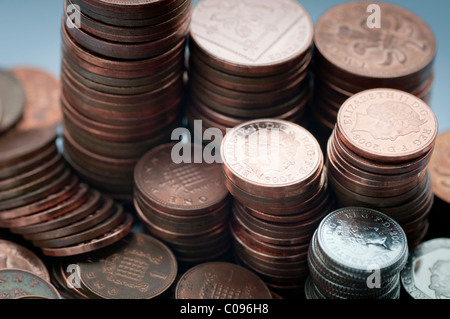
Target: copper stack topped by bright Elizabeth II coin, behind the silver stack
<point x="378" y="156"/>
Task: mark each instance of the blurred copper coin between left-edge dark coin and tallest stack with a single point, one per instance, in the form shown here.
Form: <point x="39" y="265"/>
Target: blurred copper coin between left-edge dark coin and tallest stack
<point x="42" y="91"/>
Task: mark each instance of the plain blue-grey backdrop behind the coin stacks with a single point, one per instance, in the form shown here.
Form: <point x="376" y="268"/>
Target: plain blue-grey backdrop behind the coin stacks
<point x="30" y="36"/>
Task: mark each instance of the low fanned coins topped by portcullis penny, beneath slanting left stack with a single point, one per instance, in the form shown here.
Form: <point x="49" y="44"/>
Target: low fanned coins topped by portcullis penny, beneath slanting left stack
<point x="136" y="267"/>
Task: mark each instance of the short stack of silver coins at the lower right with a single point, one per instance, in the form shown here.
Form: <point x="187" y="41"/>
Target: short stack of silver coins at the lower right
<point x="356" y="253"/>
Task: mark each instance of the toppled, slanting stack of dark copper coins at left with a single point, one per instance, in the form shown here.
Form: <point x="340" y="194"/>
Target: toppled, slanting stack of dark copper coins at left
<point x="42" y="200"/>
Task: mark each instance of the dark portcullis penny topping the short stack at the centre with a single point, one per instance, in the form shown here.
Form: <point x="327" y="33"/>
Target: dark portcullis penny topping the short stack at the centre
<point x="188" y="187"/>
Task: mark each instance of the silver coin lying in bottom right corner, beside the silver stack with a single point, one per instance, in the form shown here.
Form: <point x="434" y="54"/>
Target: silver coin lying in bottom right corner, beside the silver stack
<point x="426" y="273"/>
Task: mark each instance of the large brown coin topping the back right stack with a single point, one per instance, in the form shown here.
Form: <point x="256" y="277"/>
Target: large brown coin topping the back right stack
<point x="402" y="46"/>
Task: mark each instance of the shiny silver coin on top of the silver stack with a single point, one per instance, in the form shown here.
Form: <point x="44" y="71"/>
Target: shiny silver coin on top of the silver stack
<point x="360" y="239"/>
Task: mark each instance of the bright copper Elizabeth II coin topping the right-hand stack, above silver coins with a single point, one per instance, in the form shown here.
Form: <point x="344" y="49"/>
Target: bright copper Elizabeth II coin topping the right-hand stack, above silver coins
<point x="387" y="125"/>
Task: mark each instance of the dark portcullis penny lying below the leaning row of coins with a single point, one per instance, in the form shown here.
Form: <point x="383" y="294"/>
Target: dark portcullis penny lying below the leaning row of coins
<point x="137" y="267"/>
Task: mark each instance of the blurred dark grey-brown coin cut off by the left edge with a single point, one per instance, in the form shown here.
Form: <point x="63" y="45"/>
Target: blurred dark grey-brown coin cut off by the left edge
<point x="13" y="99"/>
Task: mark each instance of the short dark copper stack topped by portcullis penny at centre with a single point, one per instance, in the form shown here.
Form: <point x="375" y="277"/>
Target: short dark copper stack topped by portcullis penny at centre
<point x="184" y="203"/>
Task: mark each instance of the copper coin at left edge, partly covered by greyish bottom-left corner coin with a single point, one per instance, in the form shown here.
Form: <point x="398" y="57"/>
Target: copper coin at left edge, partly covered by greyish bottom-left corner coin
<point x="13" y="255"/>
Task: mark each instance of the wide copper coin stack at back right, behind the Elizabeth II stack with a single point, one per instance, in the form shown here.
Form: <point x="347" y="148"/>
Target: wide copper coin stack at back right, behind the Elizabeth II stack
<point x="358" y="48"/>
